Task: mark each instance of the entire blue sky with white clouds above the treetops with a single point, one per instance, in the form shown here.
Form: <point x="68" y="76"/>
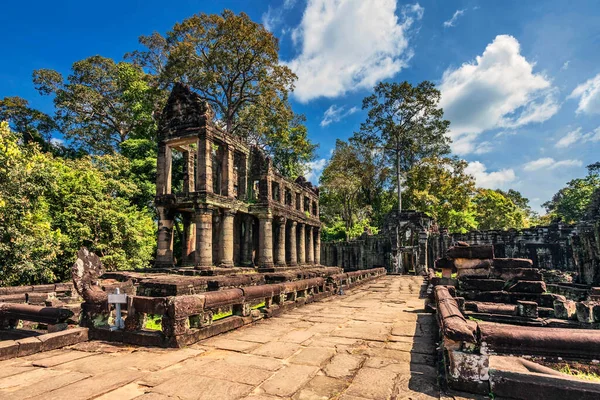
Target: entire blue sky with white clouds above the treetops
<point x="520" y="80"/>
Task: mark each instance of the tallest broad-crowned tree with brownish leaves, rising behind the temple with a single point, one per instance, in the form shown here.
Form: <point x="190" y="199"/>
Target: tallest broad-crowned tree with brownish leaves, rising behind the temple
<point x="233" y="64"/>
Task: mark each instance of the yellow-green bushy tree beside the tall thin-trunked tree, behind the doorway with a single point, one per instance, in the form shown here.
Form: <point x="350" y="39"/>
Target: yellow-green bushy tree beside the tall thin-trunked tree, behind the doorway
<point x="440" y="187"/>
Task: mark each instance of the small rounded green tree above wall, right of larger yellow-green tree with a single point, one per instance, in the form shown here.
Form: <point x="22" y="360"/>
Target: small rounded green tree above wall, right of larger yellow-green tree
<point x="496" y="211"/>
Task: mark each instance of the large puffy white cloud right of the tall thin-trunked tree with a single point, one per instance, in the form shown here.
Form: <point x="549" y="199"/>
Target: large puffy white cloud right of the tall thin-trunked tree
<point x="497" y="90"/>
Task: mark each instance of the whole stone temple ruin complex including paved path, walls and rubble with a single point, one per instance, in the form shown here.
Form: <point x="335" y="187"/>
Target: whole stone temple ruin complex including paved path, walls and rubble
<point x="504" y="315"/>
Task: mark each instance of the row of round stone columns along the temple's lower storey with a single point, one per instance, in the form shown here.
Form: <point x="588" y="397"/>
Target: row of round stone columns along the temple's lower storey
<point x="290" y="249"/>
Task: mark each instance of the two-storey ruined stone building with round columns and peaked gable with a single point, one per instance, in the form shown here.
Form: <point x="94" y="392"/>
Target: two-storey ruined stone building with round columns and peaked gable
<point x="235" y="208"/>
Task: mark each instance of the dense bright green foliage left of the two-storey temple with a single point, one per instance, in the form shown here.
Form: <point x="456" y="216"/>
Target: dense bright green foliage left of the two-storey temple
<point x="49" y="207"/>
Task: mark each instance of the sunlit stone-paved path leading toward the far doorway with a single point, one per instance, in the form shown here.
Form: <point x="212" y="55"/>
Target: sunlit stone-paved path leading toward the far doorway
<point x="375" y="342"/>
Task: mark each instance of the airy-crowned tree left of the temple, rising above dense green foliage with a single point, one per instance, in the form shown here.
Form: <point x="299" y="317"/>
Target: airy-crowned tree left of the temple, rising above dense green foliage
<point x="102" y="103"/>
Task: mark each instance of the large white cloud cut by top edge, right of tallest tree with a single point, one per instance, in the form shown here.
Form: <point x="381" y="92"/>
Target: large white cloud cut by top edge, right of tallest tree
<point x="350" y="45"/>
